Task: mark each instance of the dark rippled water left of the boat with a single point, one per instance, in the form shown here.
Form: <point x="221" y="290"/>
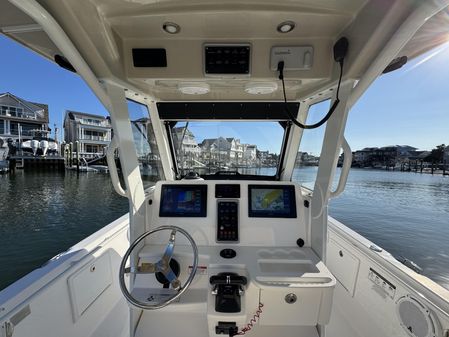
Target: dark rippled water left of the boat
<point x="43" y="214"/>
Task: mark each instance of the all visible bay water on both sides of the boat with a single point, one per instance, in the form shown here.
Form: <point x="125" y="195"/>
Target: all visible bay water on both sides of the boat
<point x="42" y="214"/>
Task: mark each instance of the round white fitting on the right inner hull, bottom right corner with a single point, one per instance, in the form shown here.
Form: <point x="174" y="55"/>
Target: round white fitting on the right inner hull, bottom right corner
<point x="416" y="319"/>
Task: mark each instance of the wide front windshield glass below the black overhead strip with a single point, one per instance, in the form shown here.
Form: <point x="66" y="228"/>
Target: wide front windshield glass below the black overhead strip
<point x="249" y="148"/>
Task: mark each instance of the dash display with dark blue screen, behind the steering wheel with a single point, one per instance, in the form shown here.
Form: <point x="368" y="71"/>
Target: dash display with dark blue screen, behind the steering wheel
<point x="183" y="201"/>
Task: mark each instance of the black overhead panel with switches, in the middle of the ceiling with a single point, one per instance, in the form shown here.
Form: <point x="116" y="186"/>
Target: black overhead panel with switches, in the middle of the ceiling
<point x="227" y="59"/>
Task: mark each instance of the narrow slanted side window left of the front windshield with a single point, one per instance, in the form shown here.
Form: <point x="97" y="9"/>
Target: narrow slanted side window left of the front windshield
<point x="146" y="148"/>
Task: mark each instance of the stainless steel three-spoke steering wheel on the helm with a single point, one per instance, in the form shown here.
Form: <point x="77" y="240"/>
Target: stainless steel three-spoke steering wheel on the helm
<point x="162" y="266"/>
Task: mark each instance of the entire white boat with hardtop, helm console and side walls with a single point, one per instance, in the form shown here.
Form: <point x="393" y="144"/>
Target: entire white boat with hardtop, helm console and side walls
<point x="221" y="237"/>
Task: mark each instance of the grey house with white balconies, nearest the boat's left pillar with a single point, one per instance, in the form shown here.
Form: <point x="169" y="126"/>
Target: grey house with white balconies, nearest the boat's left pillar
<point x="92" y="131"/>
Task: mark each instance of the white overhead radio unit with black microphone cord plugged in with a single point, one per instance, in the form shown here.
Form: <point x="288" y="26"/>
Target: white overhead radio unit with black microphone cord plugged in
<point x="295" y="58"/>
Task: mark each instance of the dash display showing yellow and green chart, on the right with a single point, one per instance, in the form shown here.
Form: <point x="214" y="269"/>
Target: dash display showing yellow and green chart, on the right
<point x="271" y="201"/>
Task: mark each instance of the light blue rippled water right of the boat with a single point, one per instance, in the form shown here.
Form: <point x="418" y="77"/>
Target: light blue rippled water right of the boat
<point x="405" y="213"/>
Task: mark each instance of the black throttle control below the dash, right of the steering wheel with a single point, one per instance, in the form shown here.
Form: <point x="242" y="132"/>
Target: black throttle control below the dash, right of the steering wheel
<point x="228" y="288"/>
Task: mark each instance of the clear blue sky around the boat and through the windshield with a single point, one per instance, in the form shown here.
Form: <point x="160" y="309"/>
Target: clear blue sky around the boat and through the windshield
<point x="407" y="107"/>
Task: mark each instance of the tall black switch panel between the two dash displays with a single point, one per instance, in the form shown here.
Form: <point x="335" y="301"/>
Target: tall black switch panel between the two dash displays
<point x="227" y="221"/>
